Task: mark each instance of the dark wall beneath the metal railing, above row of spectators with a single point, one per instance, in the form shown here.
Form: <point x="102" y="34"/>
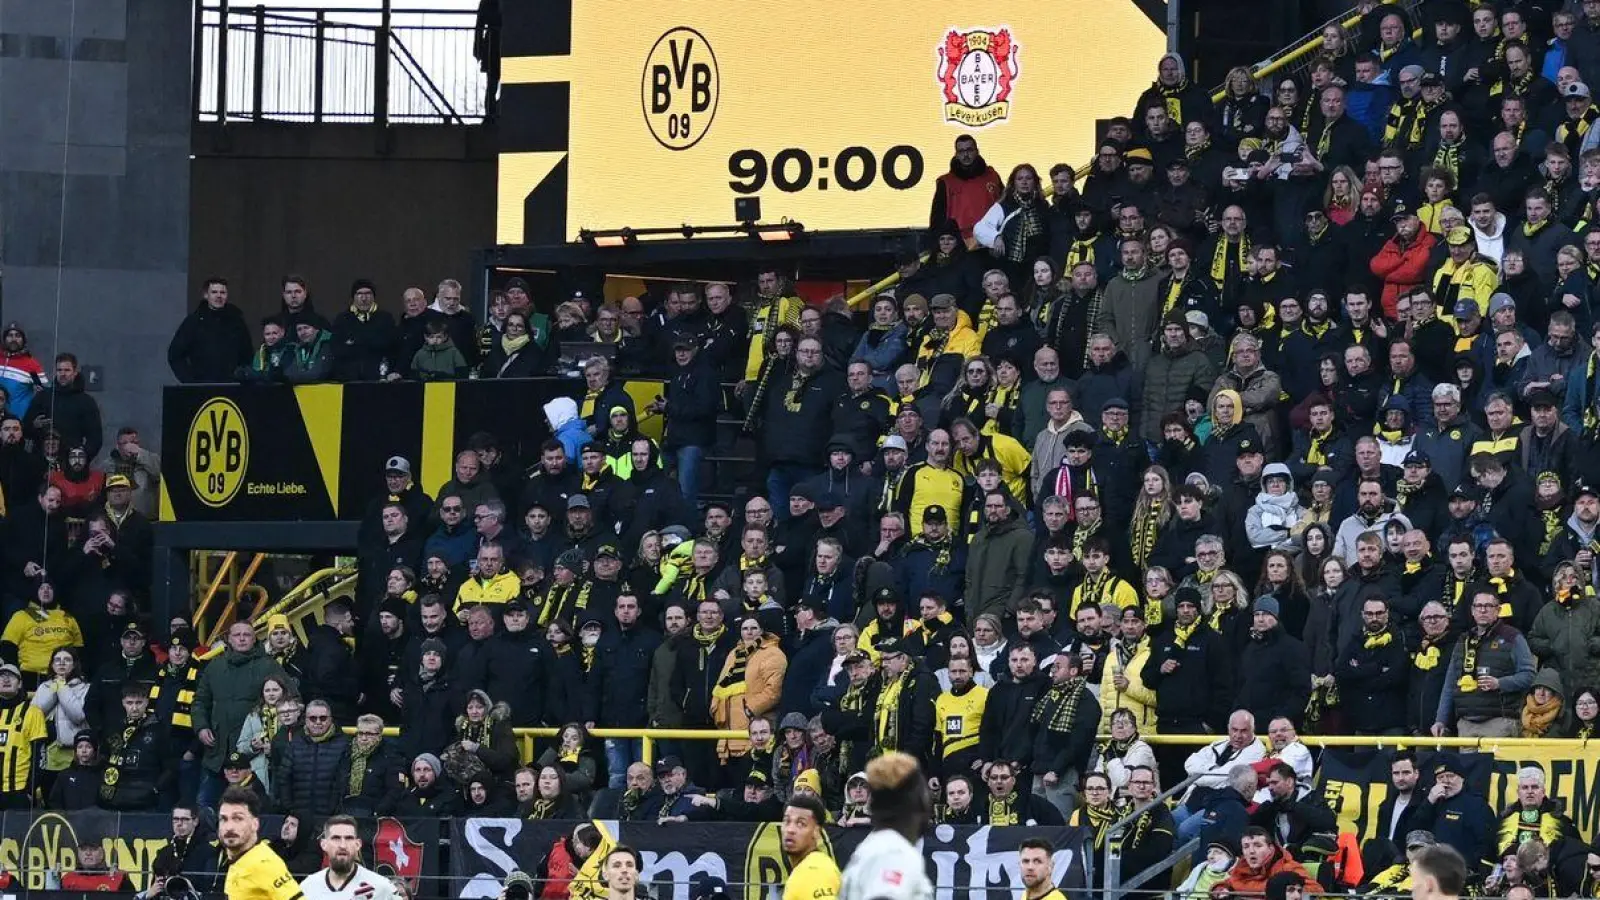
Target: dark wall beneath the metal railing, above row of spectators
<point x="338" y="203"/>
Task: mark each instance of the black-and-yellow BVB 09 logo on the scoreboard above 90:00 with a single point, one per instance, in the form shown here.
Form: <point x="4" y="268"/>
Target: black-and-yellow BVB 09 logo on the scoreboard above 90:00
<point x="681" y="89"/>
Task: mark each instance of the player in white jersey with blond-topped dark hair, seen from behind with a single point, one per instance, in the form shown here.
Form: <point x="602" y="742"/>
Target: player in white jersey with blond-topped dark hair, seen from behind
<point x="889" y="866"/>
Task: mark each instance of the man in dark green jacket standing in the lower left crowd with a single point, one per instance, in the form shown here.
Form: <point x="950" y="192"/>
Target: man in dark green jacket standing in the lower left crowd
<point x="226" y="694"/>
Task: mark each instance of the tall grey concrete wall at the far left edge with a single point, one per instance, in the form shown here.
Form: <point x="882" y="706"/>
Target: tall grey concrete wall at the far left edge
<point x="95" y="188"/>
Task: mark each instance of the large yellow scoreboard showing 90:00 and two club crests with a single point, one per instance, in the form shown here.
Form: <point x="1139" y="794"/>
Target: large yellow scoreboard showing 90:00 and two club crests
<point x="838" y="115"/>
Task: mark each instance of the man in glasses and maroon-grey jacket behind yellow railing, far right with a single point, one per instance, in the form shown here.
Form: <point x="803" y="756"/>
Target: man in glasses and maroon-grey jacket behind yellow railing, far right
<point x="1487" y="678"/>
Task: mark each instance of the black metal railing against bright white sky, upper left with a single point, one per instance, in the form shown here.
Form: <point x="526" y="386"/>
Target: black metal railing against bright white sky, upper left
<point x="338" y="65"/>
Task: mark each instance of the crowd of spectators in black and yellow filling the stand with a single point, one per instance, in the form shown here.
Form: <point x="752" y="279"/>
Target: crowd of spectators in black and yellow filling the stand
<point x="1287" y="417"/>
